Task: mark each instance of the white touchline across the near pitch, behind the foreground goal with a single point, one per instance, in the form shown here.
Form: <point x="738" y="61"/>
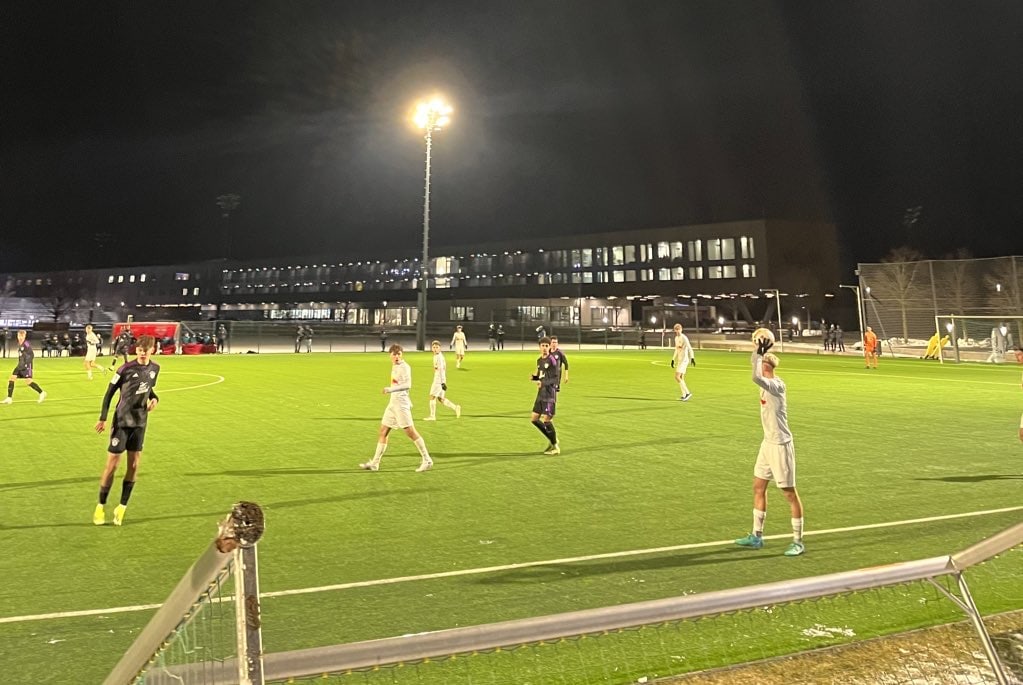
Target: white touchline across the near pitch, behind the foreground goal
<point x="515" y="567"/>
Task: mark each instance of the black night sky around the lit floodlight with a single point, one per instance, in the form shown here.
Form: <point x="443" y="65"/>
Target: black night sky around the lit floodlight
<point x="123" y="122"/>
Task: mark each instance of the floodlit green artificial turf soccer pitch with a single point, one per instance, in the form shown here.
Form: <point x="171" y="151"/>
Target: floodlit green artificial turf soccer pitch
<point x="639" y="471"/>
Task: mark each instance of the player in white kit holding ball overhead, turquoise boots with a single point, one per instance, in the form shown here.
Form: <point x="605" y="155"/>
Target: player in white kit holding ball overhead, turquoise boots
<point x="777" y="460"/>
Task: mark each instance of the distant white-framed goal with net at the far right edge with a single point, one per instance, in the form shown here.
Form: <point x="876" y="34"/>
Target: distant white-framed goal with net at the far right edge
<point x="977" y="339"/>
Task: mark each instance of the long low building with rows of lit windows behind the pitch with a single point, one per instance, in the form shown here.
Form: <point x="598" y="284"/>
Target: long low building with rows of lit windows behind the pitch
<point x="615" y="280"/>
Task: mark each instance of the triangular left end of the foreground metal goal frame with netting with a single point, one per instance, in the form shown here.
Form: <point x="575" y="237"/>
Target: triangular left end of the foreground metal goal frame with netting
<point x="208" y="630"/>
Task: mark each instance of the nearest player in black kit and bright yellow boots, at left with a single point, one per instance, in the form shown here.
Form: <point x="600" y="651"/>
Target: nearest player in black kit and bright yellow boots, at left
<point x="137" y="382"/>
